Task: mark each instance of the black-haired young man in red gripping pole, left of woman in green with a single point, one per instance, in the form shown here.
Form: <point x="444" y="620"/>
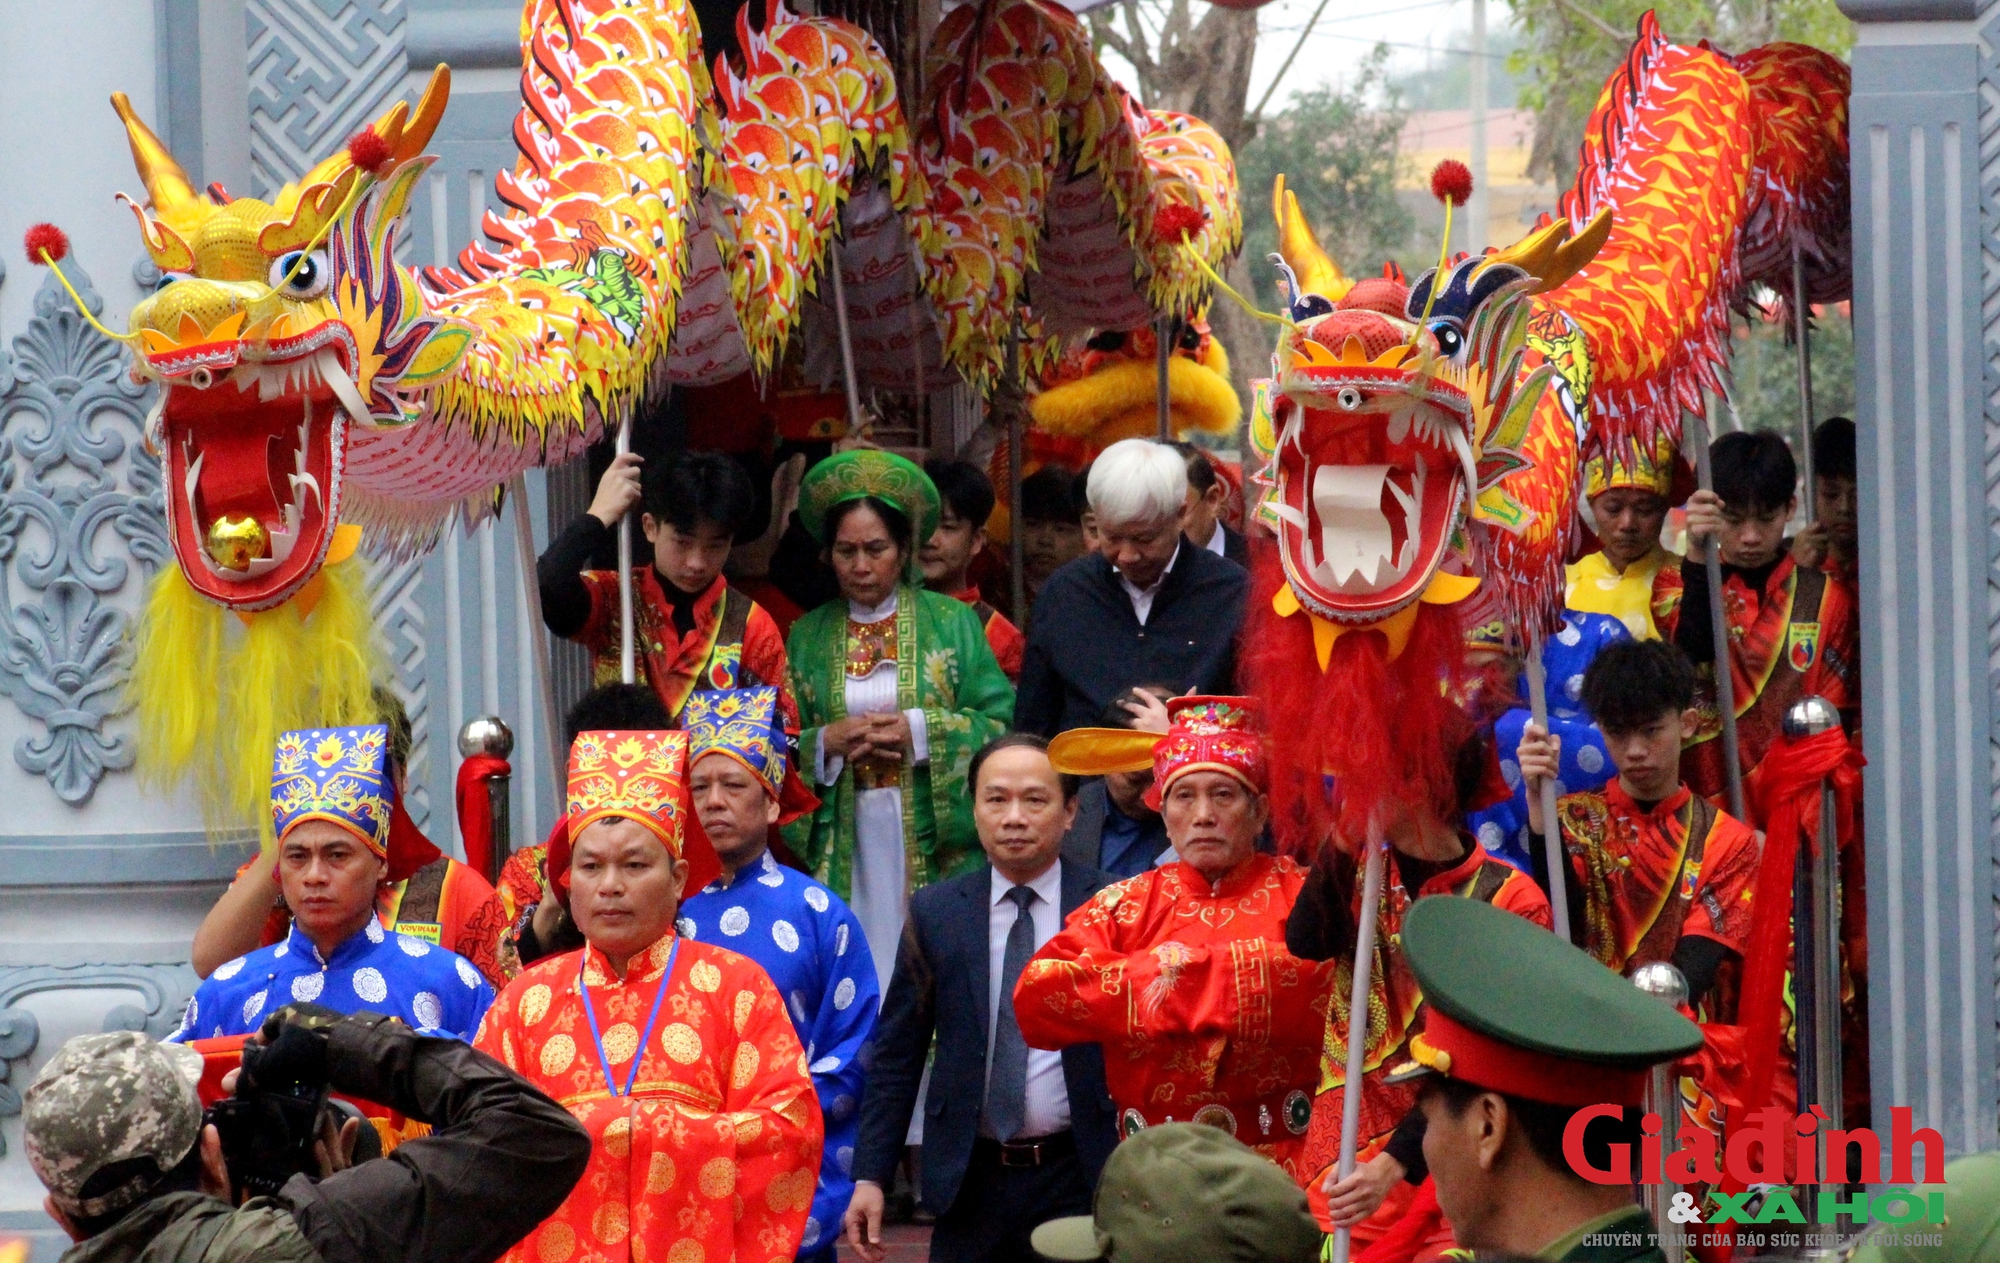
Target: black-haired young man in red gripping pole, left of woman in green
<point x="695" y="632"/>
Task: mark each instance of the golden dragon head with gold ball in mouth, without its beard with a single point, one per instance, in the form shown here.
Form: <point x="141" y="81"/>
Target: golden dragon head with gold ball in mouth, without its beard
<point x="277" y="327"/>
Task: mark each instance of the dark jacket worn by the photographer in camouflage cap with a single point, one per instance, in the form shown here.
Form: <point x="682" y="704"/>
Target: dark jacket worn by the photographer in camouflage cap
<point x="499" y="1162"/>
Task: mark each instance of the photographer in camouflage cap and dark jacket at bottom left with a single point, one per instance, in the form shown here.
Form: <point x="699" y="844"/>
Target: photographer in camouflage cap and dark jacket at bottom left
<point x="135" y="1172"/>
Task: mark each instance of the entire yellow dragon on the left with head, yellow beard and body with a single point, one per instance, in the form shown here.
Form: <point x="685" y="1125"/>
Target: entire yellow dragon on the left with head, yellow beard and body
<point x="663" y="227"/>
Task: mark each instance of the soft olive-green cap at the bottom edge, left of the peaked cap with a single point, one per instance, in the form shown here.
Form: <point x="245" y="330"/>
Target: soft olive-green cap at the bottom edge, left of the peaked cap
<point x="1187" y="1192"/>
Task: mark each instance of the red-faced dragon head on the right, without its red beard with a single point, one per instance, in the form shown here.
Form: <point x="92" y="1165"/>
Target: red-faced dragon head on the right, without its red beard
<point x="1395" y="421"/>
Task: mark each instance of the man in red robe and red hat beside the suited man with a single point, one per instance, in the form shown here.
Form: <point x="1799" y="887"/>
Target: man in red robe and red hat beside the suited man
<point x="1181" y="972"/>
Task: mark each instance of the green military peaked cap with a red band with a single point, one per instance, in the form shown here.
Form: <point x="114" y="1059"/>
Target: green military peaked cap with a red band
<point x="1517" y="1010"/>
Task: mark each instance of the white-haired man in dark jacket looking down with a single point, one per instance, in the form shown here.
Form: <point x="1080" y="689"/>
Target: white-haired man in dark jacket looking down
<point x="1147" y="607"/>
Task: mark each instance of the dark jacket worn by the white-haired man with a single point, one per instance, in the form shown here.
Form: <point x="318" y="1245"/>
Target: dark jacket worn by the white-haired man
<point x="1087" y="646"/>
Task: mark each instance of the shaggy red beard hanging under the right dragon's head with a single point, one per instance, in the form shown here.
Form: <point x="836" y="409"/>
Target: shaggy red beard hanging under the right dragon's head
<point x="1391" y="730"/>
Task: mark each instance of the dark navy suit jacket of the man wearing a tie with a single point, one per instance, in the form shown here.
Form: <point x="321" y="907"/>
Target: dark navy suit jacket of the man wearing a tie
<point x="941" y="988"/>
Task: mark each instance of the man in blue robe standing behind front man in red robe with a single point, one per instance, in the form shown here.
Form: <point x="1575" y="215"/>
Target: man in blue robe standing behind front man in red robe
<point x="801" y="932"/>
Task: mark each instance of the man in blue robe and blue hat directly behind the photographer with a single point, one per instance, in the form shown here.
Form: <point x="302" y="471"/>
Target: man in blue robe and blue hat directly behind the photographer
<point x="331" y="800"/>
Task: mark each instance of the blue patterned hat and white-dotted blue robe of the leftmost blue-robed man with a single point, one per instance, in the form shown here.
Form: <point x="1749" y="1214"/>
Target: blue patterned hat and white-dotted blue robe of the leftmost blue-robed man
<point x="341" y="776"/>
